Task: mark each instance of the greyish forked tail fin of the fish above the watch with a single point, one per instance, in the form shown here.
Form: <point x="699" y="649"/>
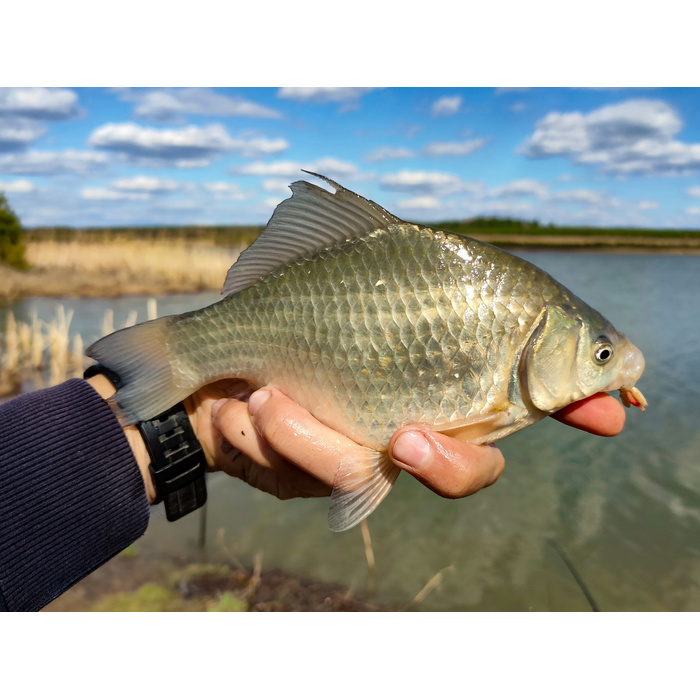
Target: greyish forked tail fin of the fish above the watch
<point x="139" y="355"/>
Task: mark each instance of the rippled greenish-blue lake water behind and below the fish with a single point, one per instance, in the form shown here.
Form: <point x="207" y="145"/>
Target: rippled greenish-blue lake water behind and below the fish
<point x="625" y="510"/>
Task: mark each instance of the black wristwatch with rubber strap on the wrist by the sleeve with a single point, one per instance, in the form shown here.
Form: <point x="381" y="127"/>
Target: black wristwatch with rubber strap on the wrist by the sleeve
<point x="178" y="466"/>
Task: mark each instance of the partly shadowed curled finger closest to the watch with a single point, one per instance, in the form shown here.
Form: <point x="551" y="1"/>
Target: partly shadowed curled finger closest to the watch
<point x="243" y="453"/>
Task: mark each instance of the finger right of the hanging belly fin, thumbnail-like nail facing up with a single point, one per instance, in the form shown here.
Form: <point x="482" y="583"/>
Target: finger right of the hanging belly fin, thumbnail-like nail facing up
<point x="451" y="468"/>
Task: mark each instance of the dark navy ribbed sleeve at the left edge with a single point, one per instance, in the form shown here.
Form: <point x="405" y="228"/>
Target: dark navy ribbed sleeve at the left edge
<point x="71" y="493"/>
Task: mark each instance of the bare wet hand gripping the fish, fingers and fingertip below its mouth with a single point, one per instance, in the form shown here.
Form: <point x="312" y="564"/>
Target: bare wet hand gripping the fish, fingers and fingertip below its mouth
<point x="275" y="445"/>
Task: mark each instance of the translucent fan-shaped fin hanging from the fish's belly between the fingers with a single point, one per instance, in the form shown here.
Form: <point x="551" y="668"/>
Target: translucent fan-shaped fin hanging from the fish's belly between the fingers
<point x="359" y="488"/>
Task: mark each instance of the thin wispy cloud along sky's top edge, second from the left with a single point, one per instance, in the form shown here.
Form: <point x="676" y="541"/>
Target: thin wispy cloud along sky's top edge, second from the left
<point x="171" y="104"/>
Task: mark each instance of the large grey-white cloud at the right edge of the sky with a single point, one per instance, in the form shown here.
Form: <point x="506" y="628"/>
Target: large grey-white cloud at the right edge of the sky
<point x="632" y="137"/>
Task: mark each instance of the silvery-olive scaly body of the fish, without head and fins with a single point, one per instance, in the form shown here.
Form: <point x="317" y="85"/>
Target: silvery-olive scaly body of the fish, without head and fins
<point x="402" y="325"/>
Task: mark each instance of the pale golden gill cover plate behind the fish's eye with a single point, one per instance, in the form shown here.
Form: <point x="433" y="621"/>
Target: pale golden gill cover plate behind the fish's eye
<point x="548" y="365"/>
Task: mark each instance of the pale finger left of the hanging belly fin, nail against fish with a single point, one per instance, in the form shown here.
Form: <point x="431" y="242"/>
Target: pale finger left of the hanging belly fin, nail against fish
<point x="294" y="433"/>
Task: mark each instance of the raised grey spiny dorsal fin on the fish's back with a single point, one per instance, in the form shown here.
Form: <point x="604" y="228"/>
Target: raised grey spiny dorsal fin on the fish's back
<point x="310" y="220"/>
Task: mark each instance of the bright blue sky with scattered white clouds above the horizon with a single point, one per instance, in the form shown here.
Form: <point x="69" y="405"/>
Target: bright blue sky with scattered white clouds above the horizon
<point x="150" y="156"/>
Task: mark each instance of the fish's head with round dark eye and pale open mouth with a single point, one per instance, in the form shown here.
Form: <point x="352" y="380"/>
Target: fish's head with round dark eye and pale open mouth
<point x="574" y="353"/>
